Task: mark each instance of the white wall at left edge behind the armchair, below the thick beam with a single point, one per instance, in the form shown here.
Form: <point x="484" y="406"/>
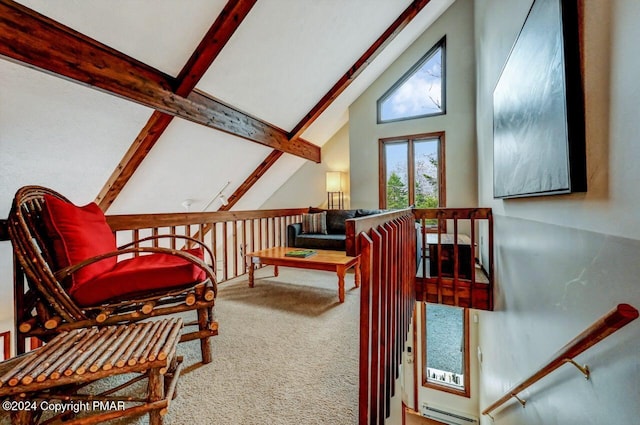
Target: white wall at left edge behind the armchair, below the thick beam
<point x="60" y="135"/>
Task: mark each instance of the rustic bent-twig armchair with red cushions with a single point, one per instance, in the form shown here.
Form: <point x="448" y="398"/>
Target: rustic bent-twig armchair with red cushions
<point x="70" y="273"/>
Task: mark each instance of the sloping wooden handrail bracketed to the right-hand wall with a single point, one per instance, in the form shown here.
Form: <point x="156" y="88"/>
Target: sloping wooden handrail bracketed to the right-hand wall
<point x="617" y="318"/>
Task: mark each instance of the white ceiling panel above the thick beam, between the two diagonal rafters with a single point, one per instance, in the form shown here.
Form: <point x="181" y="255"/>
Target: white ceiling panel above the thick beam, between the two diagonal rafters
<point x="288" y="54"/>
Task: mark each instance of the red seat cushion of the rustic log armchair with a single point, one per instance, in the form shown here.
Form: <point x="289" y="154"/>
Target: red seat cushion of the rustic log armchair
<point x="139" y="275"/>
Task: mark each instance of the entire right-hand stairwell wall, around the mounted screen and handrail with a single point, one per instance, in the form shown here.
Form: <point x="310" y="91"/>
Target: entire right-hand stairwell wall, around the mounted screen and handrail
<point x="564" y="261"/>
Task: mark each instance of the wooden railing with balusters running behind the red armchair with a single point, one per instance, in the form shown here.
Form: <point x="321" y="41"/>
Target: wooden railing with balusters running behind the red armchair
<point x="229" y="235"/>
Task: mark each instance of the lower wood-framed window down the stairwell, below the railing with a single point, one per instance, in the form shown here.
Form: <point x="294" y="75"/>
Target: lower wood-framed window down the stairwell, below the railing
<point x="445" y="348"/>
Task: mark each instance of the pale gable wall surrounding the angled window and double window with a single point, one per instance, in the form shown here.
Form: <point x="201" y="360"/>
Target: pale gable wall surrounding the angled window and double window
<point x="458" y="123"/>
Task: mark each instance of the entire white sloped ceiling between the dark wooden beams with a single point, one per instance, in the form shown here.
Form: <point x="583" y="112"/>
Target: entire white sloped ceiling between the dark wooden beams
<point x="284" y="57"/>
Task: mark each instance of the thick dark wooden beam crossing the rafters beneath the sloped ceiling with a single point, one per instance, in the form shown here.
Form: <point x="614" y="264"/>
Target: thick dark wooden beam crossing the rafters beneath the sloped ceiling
<point x="39" y="42"/>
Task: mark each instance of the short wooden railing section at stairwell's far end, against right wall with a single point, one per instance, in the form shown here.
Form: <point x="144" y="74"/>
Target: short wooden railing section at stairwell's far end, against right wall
<point x="452" y="268"/>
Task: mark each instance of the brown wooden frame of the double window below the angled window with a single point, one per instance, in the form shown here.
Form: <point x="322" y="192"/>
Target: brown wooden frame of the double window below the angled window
<point x="382" y="166"/>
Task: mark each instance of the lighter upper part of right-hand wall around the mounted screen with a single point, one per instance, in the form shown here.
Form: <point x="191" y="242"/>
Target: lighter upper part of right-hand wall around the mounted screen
<point x="611" y="101"/>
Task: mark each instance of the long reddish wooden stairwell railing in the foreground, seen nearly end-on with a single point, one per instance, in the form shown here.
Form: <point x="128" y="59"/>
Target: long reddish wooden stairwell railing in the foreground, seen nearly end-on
<point x="387" y="245"/>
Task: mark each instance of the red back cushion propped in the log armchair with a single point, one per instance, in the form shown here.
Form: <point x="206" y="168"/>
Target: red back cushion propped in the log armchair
<point x="78" y="233"/>
